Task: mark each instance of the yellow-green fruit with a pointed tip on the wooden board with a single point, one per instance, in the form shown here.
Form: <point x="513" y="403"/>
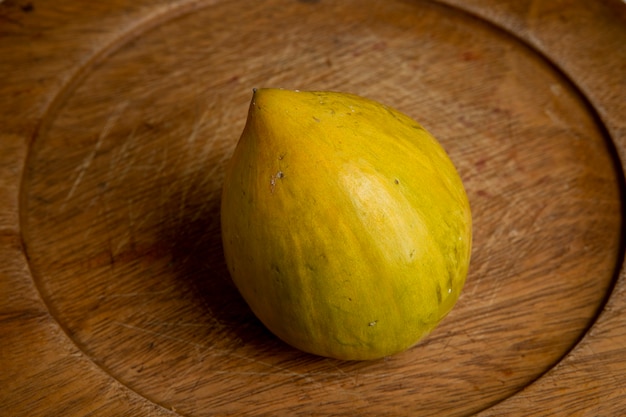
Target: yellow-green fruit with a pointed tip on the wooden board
<point x="345" y="225"/>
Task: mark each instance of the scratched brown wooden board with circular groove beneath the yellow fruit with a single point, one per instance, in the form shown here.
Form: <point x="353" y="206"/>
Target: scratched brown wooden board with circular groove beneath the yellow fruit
<point x="116" y="120"/>
